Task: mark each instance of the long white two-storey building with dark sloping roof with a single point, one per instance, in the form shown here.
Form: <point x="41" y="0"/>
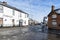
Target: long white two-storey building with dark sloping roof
<point x="11" y="16"/>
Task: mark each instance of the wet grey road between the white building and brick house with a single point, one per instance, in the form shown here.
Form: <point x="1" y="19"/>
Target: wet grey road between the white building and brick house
<point x="25" y="33"/>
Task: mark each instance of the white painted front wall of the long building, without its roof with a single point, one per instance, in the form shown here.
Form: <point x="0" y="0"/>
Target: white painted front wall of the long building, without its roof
<point x="7" y="16"/>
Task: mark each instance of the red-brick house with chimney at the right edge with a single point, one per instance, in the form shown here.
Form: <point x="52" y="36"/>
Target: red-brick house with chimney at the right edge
<point x="54" y="18"/>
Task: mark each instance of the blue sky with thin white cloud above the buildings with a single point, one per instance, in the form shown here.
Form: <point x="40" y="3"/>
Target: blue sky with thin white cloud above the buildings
<point x="37" y="9"/>
